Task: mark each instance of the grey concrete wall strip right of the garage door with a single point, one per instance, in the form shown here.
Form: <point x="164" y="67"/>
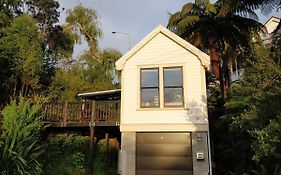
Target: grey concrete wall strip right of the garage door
<point x="200" y="145"/>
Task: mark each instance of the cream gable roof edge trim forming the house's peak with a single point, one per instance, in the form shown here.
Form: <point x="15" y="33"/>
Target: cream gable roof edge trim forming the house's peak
<point x="203" y="58"/>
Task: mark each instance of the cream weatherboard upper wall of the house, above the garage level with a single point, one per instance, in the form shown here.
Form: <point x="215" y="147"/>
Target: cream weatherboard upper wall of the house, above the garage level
<point x="162" y="51"/>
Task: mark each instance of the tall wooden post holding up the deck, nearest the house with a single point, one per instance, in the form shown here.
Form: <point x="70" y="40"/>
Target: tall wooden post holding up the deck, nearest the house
<point x="92" y="135"/>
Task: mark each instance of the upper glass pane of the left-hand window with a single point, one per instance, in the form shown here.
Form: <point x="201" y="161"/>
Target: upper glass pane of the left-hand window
<point x="149" y="77"/>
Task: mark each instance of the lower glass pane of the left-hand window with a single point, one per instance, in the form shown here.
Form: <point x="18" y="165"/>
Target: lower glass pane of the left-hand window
<point x="149" y="97"/>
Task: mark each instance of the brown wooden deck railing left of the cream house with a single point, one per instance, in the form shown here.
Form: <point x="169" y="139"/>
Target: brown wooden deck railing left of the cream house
<point x="82" y="114"/>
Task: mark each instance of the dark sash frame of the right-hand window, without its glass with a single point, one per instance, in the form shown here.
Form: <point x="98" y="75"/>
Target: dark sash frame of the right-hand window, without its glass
<point x="173" y="87"/>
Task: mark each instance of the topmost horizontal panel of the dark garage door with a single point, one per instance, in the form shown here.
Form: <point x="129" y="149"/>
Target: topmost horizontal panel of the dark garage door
<point x="163" y="138"/>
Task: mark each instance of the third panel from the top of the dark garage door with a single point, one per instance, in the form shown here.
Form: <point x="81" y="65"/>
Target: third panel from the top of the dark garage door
<point x="164" y="163"/>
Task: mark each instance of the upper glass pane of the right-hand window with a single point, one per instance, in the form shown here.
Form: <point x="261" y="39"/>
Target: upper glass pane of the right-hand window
<point x="173" y="76"/>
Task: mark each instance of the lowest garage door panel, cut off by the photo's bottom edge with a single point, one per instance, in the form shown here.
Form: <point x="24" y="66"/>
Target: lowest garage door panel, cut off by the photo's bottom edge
<point x="164" y="172"/>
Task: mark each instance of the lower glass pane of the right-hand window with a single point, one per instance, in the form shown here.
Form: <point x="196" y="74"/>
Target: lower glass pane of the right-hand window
<point x="173" y="96"/>
